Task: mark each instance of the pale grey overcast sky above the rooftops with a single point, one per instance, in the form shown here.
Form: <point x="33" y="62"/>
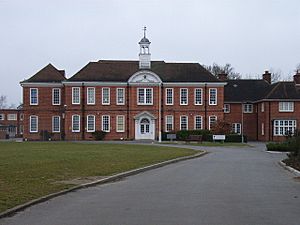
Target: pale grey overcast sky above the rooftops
<point x="250" y="35"/>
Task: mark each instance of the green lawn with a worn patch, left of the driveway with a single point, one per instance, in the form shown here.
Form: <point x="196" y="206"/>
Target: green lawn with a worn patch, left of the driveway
<point x="31" y="170"/>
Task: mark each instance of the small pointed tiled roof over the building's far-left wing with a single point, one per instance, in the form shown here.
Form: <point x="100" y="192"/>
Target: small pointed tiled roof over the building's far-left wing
<point x="48" y="74"/>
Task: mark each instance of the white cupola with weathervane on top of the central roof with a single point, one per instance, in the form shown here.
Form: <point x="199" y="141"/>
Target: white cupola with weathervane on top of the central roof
<point x="144" y="56"/>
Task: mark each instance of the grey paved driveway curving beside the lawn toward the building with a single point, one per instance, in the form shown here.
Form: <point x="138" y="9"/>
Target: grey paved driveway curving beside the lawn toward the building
<point x="229" y="186"/>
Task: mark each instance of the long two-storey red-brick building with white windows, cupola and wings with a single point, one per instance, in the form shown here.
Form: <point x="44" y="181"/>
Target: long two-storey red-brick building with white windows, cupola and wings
<point x="133" y="100"/>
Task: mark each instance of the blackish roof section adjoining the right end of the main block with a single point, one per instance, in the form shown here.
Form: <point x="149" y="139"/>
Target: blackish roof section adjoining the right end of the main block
<point x="245" y="90"/>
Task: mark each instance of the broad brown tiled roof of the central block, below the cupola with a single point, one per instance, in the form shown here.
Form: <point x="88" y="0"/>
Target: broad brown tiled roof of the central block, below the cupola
<point x="121" y="71"/>
